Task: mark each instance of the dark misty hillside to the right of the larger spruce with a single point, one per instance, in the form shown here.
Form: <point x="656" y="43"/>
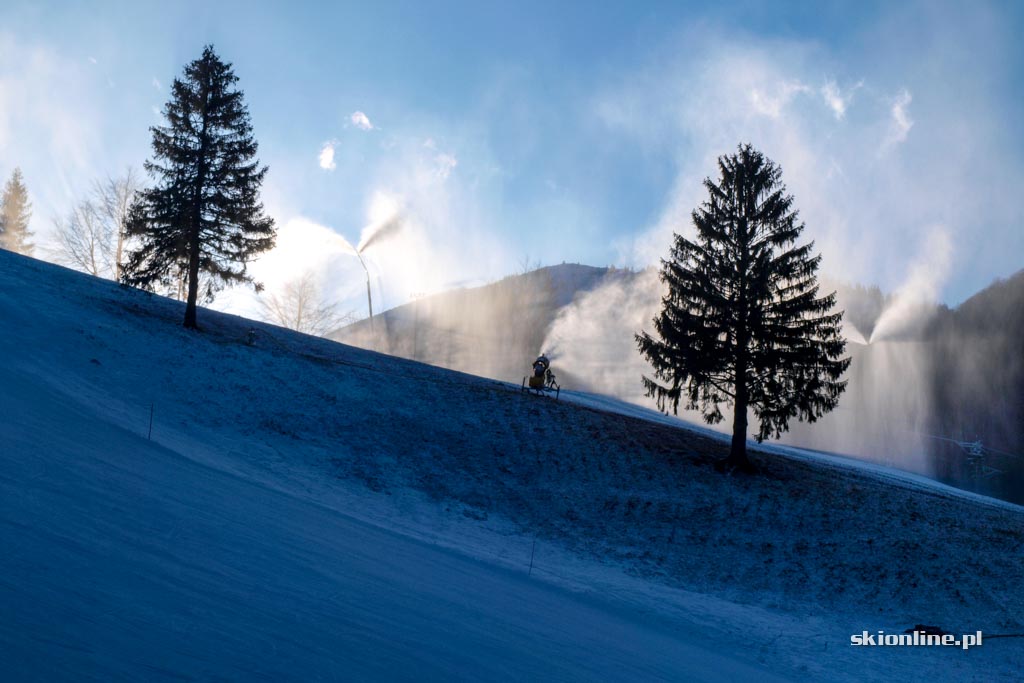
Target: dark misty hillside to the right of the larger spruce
<point x="949" y="386"/>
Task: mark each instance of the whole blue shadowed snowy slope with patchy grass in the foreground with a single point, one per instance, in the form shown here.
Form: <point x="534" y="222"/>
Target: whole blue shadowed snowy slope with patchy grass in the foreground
<point x="308" y="510"/>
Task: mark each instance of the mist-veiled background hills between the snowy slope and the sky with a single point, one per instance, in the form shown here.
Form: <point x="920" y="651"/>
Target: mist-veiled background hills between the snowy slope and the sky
<point x="932" y="381"/>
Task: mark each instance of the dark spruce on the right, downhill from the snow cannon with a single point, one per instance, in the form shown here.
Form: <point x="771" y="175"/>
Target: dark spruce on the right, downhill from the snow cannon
<point x="744" y="323"/>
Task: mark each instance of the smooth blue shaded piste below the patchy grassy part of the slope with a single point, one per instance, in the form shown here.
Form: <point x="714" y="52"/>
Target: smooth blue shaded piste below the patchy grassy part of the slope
<point x="129" y="562"/>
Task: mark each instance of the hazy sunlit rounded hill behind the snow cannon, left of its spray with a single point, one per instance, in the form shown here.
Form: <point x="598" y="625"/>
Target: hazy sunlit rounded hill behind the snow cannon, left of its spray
<point x="492" y="331"/>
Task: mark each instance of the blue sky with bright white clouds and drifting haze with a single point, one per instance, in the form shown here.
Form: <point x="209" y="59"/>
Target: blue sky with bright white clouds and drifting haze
<point x="502" y="136"/>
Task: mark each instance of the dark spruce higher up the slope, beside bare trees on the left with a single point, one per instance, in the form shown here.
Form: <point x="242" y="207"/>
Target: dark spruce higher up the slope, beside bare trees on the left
<point x="202" y="220"/>
